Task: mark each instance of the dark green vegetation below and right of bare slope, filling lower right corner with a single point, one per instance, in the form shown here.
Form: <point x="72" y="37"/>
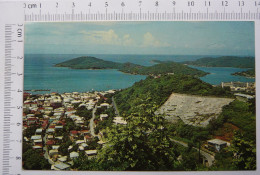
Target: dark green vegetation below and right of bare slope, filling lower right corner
<point x="243" y="138"/>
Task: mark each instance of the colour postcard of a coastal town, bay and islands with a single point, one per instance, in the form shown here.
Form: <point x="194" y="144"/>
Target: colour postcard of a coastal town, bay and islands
<point x="139" y="96"/>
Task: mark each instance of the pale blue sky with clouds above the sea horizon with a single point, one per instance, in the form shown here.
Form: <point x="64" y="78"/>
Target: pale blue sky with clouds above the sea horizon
<point x="177" y="38"/>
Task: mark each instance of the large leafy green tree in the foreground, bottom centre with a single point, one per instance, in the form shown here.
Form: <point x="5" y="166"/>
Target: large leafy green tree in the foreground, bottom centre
<point x="142" y="144"/>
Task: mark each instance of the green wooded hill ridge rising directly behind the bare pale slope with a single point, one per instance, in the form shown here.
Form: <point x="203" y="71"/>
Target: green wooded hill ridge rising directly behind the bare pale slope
<point x="161" y="88"/>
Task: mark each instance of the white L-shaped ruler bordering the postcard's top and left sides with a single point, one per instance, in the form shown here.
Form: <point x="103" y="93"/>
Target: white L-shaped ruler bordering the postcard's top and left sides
<point x="15" y="14"/>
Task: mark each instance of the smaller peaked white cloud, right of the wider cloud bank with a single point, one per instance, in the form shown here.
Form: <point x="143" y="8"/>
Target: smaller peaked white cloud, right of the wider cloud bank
<point x="151" y="41"/>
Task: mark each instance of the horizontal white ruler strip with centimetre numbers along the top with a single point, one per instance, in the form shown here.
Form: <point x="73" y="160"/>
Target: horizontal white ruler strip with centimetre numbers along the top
<point x="134" y="10"/>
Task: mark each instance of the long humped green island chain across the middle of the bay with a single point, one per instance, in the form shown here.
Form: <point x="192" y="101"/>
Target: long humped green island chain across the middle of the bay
<point x="162" y="67"/>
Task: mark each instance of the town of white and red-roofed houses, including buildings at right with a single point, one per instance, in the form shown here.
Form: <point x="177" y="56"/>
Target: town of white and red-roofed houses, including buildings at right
<point x="61" y="126"/>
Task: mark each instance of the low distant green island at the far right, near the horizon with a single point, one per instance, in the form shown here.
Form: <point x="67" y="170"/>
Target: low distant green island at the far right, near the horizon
<point x="224" y="61"/>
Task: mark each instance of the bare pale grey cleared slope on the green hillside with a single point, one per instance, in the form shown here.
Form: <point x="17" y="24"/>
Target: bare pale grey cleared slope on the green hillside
<point x="191" y="109"/>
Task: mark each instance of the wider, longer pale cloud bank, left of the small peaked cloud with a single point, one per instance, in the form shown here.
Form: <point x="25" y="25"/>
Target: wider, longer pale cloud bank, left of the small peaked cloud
<point x="107" y="37"/>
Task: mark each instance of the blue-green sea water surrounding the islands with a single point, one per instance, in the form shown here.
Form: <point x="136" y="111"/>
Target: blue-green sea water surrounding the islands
<point x="40" y="73"/>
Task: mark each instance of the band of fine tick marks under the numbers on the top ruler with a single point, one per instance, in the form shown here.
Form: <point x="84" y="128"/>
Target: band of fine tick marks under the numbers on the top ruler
<point x="149" y="16"/>
